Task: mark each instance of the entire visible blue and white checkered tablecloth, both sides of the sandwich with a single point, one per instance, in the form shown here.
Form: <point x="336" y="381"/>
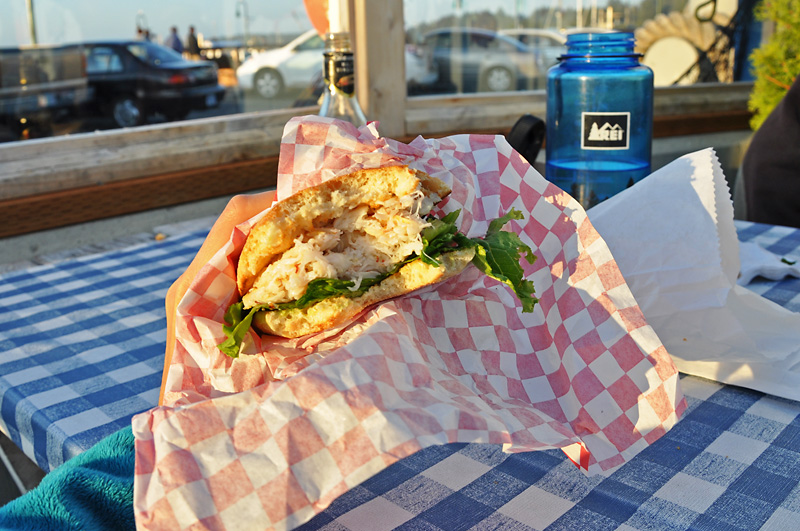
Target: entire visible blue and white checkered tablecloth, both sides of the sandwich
<point x="81" y="348"/>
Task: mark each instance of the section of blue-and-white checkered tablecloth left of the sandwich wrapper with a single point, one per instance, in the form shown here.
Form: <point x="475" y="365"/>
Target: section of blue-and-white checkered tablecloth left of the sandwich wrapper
<point x="82" y="345"/>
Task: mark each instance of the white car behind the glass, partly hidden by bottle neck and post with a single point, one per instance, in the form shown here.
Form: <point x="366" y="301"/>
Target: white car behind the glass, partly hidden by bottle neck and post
<point x="295" y="66"/>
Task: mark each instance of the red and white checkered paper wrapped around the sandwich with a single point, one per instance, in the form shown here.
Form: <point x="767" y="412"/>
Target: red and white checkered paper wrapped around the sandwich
<point x="270" y="439"/>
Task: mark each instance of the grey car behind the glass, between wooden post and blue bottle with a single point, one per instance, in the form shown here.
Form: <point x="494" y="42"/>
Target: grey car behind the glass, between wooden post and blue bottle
<point x="477" y="60"/>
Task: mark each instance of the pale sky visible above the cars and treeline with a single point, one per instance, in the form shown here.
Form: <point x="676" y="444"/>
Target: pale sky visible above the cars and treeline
<point x="62" y="21"/>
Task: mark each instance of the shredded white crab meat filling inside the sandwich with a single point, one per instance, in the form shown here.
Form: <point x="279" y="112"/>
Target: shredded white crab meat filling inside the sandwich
<point x="362" y="243"/>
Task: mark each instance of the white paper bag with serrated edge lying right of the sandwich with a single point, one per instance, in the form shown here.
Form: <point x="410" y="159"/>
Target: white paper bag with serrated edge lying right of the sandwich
<point x="673" y="237"/>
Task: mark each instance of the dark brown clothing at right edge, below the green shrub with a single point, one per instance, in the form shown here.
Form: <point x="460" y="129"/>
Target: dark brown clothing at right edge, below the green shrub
<point x="771" y="166"/>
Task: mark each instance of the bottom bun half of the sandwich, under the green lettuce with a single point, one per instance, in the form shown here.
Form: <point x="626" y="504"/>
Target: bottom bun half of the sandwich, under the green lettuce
<point x="336" y="311"/>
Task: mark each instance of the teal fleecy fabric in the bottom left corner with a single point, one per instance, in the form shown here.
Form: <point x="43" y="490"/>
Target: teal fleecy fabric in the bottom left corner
<point x="91" y="491"/>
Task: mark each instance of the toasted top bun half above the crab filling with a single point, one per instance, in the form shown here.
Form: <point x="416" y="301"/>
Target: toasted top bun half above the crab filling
<point x="316" y="206"/>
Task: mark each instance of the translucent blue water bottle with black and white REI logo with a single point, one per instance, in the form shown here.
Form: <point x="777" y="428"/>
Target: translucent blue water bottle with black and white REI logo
<point x="599" y="117"/>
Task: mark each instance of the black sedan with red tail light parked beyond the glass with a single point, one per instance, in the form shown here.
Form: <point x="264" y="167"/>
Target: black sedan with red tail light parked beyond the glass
<point x="135" y="79"/>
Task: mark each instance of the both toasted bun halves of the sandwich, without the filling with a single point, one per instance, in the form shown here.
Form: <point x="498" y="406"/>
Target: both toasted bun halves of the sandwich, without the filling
<point x="316" y="207"/>
